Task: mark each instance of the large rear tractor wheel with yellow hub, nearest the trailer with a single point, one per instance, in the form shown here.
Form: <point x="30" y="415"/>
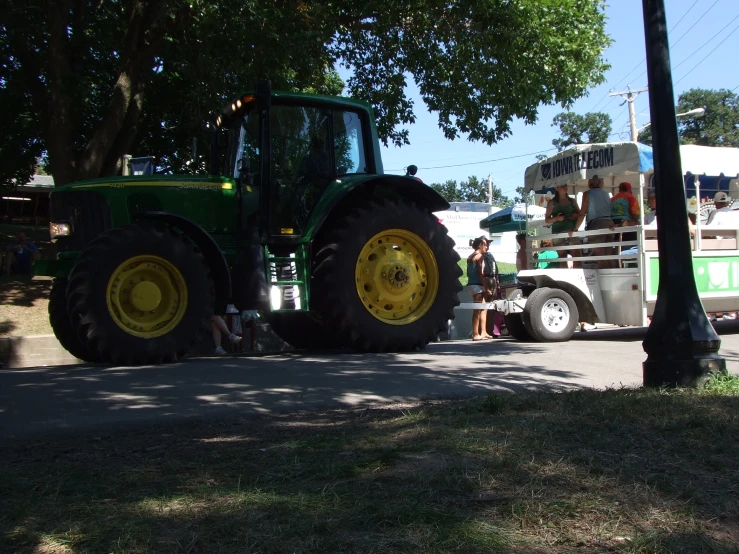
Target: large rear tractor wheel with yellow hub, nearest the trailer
<point x="386" y="277"/>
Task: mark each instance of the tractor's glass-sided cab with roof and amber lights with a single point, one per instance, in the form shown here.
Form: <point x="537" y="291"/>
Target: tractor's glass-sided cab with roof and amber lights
<point x="285" y="153"/>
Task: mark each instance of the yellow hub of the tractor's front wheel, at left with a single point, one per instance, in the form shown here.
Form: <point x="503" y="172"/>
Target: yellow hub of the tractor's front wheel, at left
<point x="146" y="296"/>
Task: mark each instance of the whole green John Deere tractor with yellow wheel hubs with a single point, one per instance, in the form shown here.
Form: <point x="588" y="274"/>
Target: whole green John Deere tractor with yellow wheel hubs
<point x="297" y="220"/>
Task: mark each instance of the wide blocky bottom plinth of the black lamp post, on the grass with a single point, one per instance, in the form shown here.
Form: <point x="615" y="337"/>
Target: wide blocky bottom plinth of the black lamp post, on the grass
<point x="681" y="373"/>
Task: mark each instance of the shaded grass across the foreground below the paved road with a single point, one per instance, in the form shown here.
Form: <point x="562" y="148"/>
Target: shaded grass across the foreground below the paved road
<point x="627" y="471"/>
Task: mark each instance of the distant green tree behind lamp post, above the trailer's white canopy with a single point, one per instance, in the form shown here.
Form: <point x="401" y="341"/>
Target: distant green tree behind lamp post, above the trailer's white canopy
<point x="719" y="126"/>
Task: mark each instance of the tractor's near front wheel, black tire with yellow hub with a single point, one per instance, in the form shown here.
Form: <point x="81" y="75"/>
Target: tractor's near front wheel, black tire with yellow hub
<point x="142" y="295"/>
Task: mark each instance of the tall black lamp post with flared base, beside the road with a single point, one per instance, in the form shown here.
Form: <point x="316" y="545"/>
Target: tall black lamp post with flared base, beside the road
<point x="681" y="345"/>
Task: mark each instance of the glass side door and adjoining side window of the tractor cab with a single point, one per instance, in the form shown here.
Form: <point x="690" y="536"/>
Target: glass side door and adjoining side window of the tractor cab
<point x="311" y="146"/>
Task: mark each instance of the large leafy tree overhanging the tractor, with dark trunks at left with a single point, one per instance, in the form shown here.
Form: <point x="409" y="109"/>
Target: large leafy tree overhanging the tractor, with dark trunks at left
<point x="87" y="81"/>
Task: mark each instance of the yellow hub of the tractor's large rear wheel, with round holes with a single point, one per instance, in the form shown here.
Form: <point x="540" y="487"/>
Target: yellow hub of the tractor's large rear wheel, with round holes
<point x="397" y="277"/>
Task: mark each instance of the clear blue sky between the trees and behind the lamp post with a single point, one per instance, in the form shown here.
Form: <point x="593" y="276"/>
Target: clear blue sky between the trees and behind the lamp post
<point x="692" y="24"/>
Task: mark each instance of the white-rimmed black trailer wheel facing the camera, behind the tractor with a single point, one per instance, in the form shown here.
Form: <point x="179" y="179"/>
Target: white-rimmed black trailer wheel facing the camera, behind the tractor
<point x="550" y="315"/>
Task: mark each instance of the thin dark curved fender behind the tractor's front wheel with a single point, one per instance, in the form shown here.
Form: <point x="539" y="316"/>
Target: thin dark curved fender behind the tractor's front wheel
<point x="213" y="255"/>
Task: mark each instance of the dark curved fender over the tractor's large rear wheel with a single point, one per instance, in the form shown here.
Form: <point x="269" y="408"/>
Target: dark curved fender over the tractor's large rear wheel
<point x="378" y="186"/>
